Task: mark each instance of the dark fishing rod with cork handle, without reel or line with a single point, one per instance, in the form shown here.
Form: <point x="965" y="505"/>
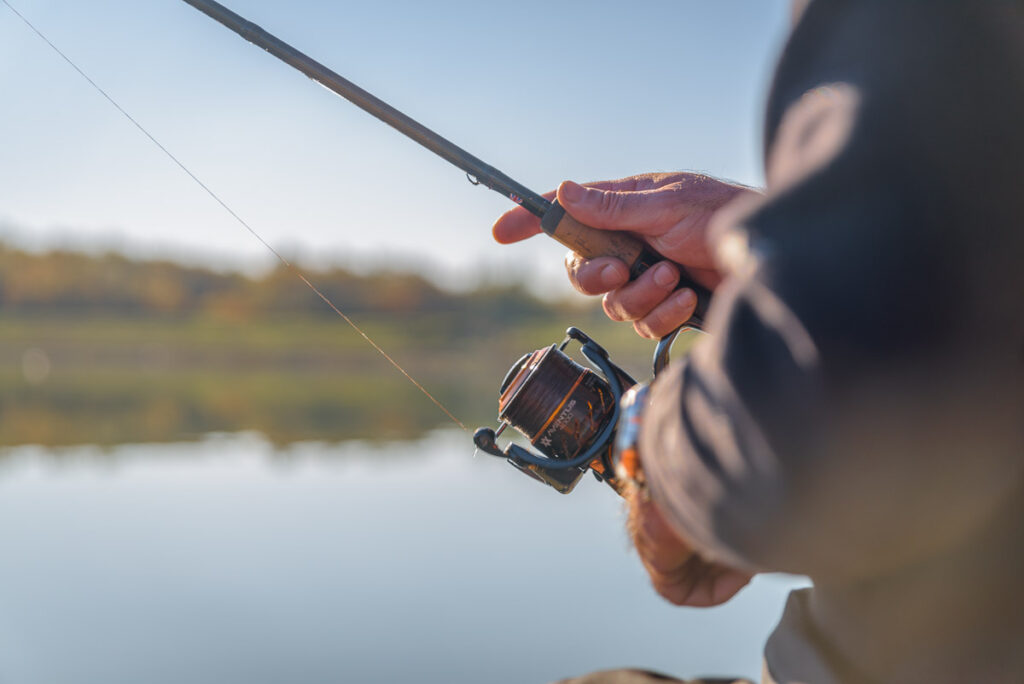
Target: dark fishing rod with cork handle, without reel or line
<point x="582" y="239"/>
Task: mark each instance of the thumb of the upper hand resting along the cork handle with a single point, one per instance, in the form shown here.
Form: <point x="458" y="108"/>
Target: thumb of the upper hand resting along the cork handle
<point x="649" y="212"/>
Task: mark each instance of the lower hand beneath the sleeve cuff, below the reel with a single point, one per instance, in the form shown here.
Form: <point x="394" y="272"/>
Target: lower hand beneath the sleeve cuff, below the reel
<point x="676" y="571"/>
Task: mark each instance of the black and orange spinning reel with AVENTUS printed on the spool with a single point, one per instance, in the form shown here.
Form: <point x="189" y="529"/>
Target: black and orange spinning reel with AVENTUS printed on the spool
<point x="569" y="413"/>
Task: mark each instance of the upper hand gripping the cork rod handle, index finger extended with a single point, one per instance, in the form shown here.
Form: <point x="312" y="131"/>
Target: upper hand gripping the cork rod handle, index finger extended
<point x="670" y="212"/>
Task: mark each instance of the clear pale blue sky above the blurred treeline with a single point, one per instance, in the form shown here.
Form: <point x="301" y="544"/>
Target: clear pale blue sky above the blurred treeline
<point x="545" y="92"/>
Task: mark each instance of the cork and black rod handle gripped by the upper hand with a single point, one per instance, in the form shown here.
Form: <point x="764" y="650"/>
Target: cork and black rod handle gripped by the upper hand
<point x="592" y="243"/>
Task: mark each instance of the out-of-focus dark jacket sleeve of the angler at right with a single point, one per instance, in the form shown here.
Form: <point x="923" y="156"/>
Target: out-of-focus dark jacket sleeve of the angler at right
<point x="855" y="407"/>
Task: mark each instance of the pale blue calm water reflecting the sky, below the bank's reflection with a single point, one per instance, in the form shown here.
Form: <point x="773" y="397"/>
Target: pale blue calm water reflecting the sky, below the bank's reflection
<point x="231" y="561"/>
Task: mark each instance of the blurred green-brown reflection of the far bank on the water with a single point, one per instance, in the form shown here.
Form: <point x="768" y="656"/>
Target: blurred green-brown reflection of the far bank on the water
<point x="110" y="411"/>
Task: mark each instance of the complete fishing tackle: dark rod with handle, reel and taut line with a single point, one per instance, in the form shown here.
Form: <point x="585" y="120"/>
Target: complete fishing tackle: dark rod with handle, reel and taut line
<point x="578" y="420"/>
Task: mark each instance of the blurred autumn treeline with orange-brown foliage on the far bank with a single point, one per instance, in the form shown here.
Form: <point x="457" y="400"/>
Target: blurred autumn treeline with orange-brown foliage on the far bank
<point x="74" y="283"/>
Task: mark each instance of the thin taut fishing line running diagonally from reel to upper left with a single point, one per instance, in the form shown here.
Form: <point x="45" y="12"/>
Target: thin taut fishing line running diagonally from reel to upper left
<point x="238" y="219"/>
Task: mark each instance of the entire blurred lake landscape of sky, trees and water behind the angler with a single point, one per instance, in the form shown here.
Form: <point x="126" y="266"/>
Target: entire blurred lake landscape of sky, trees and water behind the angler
<point x="205" y="476"/>
